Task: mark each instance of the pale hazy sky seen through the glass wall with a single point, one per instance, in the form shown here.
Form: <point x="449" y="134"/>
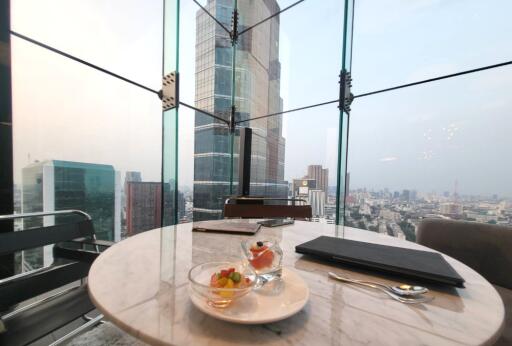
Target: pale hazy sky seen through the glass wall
<point x="424" y="138"/>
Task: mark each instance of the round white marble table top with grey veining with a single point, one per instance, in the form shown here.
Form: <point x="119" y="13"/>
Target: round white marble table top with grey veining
<point x="140" y="284"/>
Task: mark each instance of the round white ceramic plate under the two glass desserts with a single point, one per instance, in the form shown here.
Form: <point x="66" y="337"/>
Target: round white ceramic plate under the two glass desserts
<point x="269" y="304"/>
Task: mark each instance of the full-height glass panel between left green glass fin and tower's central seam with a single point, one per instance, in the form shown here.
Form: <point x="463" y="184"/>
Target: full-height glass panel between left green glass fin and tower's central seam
<point x="206" y="83"/>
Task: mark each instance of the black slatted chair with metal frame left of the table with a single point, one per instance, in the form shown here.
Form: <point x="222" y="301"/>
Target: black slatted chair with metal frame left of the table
<point x="34" y="304"/>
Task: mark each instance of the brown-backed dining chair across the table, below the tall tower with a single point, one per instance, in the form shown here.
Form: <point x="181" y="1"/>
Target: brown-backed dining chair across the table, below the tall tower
<point x="266" y="207"/>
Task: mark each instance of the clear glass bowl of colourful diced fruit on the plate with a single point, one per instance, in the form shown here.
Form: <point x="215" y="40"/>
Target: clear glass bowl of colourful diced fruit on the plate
<point x="221" y="283"/>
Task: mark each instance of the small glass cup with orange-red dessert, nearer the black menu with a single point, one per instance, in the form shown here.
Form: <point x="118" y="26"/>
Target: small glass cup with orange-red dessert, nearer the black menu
<point x="264" y="257"/>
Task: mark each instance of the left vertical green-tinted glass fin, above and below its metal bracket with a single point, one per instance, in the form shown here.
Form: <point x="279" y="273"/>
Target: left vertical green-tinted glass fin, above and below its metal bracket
<point x="170" y="193"/>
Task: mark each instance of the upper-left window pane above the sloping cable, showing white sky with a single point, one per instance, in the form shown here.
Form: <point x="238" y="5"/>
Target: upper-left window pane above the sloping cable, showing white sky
<point x="116" y="35"/>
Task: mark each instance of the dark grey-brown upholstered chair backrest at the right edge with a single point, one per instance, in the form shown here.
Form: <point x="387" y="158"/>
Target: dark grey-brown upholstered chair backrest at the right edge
<point x="485" y="248"/>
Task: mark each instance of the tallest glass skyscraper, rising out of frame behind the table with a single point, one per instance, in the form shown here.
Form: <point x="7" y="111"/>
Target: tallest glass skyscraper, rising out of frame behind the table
<point x="257" y="92"/>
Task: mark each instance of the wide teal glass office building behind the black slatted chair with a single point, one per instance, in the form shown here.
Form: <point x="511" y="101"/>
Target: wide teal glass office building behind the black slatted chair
<point x="60" y="185"/>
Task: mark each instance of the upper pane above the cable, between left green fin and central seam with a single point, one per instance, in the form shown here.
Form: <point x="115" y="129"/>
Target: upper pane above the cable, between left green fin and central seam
<point x="205" y="57"/>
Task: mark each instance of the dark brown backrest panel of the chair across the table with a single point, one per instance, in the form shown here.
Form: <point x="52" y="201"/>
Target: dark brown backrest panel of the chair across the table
<point x="253" y="210"/>
